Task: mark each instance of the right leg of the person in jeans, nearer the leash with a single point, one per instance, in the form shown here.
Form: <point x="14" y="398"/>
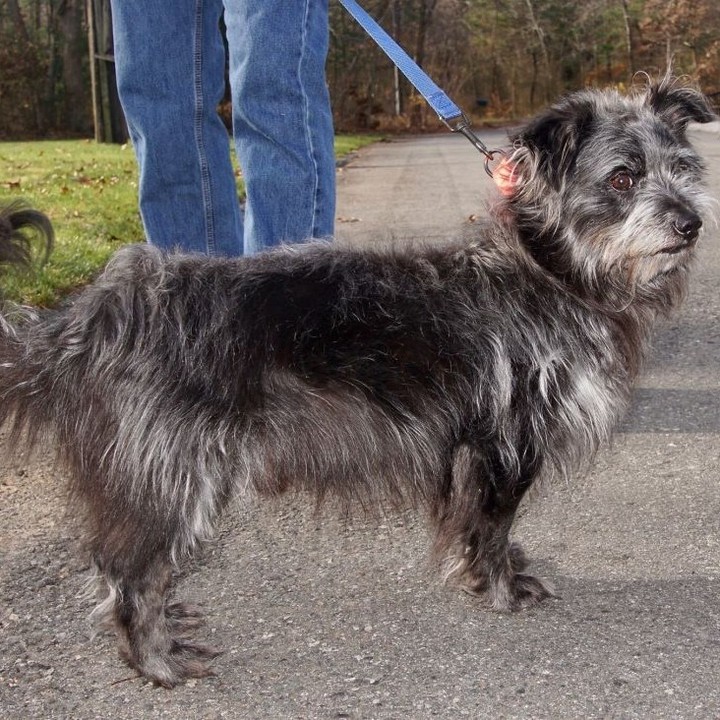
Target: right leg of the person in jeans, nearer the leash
<point x="282" y="119"/>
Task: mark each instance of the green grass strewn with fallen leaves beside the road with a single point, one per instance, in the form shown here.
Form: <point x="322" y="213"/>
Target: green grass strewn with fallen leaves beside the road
<point x="89" y="191"/>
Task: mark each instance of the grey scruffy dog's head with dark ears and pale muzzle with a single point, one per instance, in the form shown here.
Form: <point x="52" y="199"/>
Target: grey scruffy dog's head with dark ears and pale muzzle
<point x="605" y="189"/>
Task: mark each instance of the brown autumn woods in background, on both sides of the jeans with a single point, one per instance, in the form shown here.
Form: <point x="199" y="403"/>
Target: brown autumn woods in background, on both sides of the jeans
<point x="502" y="58"/>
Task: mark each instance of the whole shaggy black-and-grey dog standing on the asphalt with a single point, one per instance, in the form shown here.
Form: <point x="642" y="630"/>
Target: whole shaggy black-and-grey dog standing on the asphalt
<point x="453" y="377"/>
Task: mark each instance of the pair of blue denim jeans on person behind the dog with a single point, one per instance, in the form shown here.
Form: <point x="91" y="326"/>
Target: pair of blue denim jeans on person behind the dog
<point x="170" y="62"/>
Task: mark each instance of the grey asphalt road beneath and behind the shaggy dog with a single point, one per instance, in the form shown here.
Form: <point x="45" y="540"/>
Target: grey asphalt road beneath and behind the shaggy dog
<point x="322" y="617"/>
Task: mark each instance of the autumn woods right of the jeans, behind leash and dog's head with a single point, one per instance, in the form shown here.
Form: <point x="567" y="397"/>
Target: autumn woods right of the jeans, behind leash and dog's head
<point x="506" y="58"/>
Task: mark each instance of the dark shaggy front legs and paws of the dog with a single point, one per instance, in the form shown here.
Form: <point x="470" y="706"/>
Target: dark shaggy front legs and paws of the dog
<point x="474" y="521"/>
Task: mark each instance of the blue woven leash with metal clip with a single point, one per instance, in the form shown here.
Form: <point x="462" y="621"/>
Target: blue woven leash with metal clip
<point x="450" y="114"/>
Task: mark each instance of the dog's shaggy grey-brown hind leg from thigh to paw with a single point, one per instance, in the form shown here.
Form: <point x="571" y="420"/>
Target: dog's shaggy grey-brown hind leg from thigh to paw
<point x="151" y="498"/>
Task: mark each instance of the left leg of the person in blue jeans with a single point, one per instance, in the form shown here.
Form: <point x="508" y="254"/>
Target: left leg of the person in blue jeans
<point x="170" y="70"/>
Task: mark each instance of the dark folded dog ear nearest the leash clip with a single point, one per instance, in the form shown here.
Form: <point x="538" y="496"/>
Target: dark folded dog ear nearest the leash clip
<point x="551" y="141"/>
